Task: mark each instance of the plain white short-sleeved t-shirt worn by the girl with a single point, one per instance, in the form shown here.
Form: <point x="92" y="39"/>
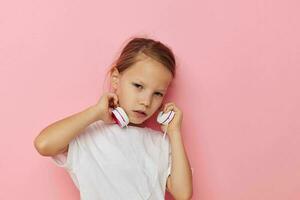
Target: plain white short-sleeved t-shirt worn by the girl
<point x="107" y="162"/>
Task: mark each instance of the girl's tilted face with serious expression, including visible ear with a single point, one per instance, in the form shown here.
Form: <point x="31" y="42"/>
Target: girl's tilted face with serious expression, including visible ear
<point x="142" y="86"/>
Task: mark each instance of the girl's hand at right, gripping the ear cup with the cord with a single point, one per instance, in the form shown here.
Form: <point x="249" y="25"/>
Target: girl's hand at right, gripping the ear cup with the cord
<point x="175" y="124"/>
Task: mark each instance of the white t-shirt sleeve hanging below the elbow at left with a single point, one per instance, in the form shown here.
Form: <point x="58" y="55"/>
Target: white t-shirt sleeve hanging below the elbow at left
<point x="68" y="160"/>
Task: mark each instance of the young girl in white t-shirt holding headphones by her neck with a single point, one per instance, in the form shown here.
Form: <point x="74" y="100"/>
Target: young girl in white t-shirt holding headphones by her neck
<point x="108" y="162"/>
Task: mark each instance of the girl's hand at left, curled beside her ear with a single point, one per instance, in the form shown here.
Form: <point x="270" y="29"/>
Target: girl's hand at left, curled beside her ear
<point x="105" y="105"/>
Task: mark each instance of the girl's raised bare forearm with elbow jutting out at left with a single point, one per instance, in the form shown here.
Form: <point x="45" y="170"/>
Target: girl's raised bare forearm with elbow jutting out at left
<point x="58" y="135"/>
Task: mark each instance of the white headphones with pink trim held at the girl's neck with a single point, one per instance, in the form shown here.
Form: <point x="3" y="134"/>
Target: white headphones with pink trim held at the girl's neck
<point x="121" y="118"/>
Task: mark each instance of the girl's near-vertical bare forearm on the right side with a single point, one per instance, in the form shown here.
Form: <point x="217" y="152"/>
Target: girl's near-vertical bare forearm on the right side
<point x="181" y="175"/>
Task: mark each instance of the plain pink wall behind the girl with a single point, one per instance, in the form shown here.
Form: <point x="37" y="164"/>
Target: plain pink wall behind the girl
<point x="238" y="87"/>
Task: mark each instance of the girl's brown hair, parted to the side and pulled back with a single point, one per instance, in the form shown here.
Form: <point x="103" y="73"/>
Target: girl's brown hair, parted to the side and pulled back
<point x="150" y="47"/>
